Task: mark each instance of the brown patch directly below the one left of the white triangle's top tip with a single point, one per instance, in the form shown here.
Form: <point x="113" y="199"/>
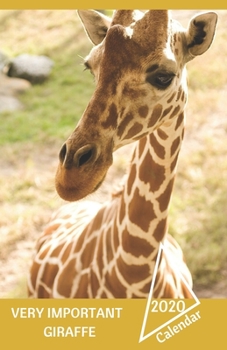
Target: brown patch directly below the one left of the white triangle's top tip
<point x="133" y="273"/>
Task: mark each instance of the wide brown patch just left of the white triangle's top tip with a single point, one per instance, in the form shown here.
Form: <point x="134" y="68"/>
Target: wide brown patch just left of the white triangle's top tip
<point x="135" y="245"/>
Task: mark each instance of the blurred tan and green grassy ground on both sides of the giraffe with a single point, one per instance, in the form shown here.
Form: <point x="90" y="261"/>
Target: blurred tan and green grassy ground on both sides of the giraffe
<point x="30" y="140"/>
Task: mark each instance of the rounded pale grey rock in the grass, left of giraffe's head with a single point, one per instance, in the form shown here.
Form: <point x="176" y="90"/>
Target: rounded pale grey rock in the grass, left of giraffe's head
<point x="33" y="68"/>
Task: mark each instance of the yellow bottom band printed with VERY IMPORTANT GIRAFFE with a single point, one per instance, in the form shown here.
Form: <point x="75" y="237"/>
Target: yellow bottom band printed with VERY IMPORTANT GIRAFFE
<point x="209" y="332"/>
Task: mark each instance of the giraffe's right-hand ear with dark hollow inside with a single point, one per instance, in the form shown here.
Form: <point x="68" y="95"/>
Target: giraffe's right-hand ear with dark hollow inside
<point x="200" y="33"/>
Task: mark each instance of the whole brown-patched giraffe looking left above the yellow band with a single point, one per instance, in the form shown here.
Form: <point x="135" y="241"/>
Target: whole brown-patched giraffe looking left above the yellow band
<point x="109" y="250"/>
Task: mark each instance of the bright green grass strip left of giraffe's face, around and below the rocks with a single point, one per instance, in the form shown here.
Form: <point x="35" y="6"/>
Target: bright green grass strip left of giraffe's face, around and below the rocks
<point x="52" y="109"/>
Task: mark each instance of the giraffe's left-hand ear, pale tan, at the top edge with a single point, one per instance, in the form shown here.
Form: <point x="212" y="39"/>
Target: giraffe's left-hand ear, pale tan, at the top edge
<point x="95" y="24"/>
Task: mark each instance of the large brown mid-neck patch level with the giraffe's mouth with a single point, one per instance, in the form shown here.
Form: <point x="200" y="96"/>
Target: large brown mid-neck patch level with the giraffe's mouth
<point x="151" y="172"/>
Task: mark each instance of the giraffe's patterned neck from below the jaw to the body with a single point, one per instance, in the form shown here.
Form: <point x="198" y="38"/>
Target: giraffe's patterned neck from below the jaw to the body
<point x="143" y="213"/>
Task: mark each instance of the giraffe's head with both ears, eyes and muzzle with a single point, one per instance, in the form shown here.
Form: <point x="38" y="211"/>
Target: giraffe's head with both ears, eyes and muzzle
<point x="138" y="61"/>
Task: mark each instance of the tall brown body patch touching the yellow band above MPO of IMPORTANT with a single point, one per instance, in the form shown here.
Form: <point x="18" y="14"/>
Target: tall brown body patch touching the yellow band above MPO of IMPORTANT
<point x="65" y="280"/>
